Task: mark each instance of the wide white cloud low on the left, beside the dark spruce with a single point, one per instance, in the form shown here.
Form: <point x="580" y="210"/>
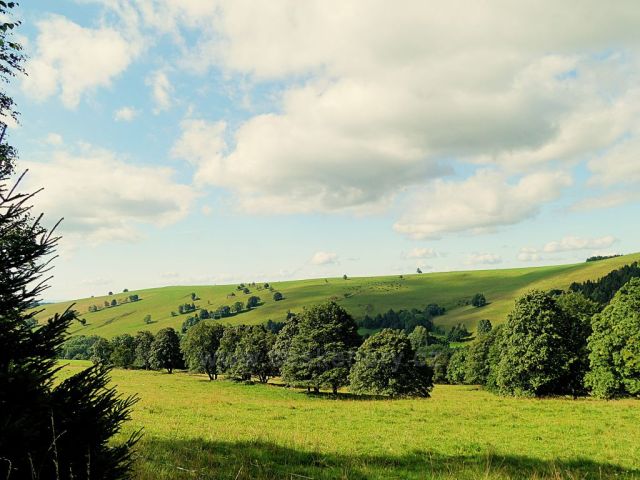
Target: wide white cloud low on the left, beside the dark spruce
<point x="103" y="198"/>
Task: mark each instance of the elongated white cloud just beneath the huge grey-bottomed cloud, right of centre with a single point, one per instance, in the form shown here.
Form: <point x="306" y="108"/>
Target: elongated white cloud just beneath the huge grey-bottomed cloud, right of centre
<point x="481" y="203"/>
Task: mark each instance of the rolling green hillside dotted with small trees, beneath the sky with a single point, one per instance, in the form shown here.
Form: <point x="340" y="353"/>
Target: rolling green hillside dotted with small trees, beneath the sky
<point x="358" y="295"/>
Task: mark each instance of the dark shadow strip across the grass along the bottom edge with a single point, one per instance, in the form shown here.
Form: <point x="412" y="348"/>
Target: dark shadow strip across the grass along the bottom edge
<point x="264" y="460"/>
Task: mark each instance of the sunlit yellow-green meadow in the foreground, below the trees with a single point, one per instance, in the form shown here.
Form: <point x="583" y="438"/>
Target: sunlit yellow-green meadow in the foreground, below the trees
<point x="196" y="429"/>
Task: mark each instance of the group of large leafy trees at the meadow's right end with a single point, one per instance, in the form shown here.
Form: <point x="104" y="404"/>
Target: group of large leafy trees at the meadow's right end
<point x="558" y="344"/>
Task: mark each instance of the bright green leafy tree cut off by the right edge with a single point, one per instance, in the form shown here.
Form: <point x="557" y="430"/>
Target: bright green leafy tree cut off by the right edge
<point x="615" y="346"/>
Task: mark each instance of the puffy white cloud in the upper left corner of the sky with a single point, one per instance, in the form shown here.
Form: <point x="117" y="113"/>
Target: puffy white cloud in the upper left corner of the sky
<point x="71" y="60"/>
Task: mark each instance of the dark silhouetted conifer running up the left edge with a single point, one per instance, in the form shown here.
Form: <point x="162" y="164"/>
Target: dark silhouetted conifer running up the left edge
<point x="36" y="408"/>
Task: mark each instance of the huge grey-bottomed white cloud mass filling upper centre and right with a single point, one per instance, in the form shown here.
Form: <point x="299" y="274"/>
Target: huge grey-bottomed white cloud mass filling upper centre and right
<point x="373" y="113"/>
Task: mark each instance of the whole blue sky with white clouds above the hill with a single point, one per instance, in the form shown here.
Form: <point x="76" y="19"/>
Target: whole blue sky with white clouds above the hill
<point x="213" y="141"/>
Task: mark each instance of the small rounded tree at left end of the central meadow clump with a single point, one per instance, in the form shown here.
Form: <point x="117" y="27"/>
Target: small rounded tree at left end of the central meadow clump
<point x="200" y="347"/>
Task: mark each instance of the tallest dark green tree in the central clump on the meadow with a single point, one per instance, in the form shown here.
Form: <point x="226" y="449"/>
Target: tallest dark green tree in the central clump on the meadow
<point x="322" y="351"/>
